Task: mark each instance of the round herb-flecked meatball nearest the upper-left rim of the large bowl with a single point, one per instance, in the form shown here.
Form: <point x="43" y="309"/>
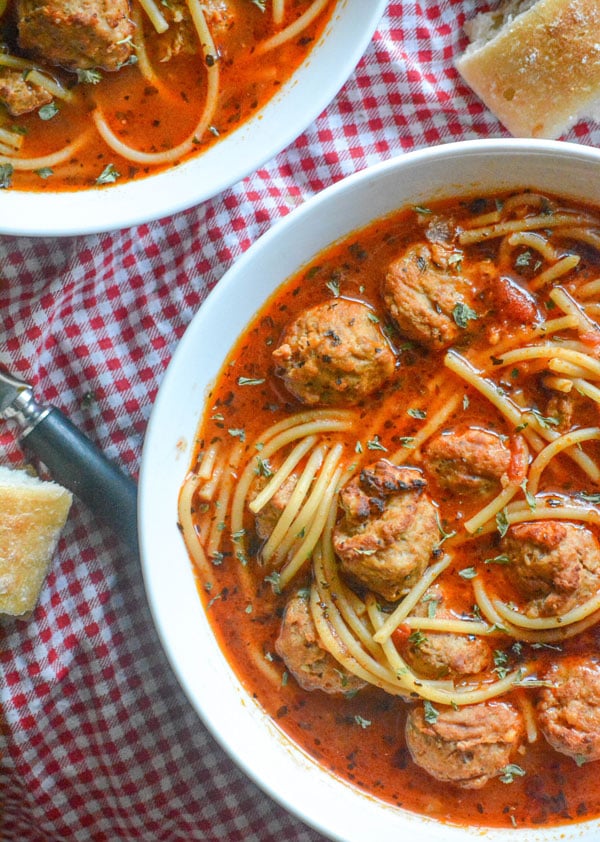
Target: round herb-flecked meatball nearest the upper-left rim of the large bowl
<point x="334" y="353"/>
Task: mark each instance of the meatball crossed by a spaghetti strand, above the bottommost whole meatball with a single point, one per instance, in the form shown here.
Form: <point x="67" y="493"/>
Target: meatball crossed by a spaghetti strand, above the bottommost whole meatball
<point x="438" y="654"/>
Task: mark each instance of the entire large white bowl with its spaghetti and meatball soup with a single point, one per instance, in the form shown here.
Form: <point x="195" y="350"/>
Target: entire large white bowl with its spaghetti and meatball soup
<point x="375" y="542"/>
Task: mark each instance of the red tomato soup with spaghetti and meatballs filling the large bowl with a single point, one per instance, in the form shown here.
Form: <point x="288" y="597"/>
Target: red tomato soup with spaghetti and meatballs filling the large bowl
<point x="393" y="510"/>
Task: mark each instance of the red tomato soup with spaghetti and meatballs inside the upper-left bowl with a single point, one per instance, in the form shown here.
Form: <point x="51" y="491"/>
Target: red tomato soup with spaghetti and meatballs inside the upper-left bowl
<point x="96" y="94"/>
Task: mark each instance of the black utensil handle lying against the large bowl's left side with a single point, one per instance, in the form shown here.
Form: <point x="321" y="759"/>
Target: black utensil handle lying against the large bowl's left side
<point x="76" y="463"/>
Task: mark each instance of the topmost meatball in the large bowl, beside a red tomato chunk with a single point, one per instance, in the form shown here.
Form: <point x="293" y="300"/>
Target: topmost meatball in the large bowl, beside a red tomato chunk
<point x="421" y="293"/>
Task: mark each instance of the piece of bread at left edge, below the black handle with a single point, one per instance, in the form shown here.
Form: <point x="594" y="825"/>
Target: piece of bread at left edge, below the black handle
<point x="33" y="513"/>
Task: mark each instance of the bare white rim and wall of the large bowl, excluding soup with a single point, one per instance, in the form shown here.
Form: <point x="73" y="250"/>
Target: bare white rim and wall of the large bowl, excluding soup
<point x="256" y="745"/>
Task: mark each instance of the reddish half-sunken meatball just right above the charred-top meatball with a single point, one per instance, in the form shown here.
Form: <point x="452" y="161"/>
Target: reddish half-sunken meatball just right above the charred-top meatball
<point x="469" y="462"/>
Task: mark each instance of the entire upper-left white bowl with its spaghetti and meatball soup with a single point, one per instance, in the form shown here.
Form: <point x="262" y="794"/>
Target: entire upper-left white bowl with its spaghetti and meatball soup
<point x="116" y="114"/>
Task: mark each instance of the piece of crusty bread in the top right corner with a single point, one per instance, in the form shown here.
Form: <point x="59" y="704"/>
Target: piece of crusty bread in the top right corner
<point x="536" y="64"/>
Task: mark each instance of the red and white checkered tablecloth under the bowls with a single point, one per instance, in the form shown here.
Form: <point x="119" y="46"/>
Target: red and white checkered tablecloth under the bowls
<point x="97" y="740"/>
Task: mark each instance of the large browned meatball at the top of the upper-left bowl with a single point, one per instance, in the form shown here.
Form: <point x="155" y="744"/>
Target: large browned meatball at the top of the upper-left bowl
<point x="76" y="34"/>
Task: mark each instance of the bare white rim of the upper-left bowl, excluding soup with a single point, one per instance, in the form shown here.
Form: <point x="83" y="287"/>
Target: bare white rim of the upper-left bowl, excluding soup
<point x="286" y="116"/>
